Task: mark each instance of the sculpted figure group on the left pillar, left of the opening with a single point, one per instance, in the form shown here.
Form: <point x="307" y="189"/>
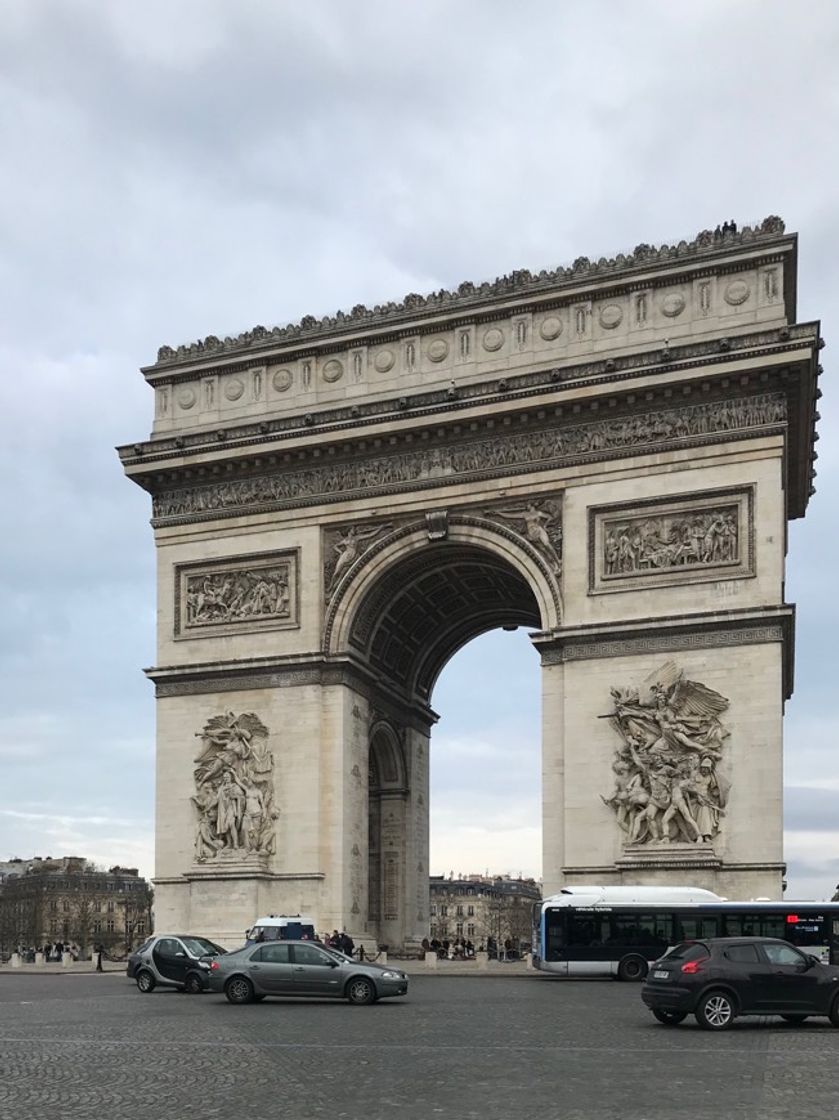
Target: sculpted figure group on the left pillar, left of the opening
<point x="235" y="789"/>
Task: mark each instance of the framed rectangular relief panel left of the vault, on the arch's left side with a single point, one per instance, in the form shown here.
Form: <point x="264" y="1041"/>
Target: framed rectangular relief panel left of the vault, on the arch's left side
<point x="240" y="594"/>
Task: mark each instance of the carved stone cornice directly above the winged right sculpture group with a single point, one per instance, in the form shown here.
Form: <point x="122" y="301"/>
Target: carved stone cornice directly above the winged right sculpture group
<point x="705" y="631"/>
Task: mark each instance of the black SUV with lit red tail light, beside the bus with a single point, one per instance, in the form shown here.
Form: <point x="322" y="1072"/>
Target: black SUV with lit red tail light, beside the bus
<point x="721" y="978"/>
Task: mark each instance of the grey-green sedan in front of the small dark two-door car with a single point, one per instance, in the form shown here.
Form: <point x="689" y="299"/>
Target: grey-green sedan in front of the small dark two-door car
<point x="302" y="968"/>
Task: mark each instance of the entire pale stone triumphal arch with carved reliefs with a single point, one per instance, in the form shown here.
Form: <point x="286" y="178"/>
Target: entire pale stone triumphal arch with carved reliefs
<point x="605" y="454"/>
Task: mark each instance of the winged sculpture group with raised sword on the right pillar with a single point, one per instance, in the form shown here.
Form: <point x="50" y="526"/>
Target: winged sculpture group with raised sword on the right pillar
<point x="668" y="782"/>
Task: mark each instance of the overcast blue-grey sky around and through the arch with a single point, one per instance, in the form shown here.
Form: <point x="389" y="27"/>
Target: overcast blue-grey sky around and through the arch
<point x="176" y="169"/>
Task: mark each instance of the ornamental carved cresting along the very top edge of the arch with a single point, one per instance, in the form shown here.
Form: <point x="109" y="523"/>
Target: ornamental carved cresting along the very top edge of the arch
<point x="471" y="297"/>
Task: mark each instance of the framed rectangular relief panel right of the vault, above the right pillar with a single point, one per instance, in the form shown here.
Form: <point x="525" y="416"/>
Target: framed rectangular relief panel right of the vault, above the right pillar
<point x="672" y="540"/>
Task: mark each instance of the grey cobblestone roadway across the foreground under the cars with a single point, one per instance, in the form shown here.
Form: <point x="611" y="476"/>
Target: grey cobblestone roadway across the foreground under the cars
<point x="74" y="1048"/>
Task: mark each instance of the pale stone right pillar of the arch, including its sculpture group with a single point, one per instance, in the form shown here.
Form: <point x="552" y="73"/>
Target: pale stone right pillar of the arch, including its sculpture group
<point x="712" y="731"/>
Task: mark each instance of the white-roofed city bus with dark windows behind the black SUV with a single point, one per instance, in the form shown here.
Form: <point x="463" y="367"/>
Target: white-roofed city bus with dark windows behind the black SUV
<point x="602" y="931"/>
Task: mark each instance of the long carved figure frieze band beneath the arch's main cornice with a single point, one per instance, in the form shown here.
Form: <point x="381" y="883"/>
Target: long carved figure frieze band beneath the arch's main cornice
<point x="479" y="459"/>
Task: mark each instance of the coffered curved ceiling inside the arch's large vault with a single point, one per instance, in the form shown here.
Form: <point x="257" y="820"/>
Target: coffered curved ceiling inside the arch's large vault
<point x="427" y="606"/>
